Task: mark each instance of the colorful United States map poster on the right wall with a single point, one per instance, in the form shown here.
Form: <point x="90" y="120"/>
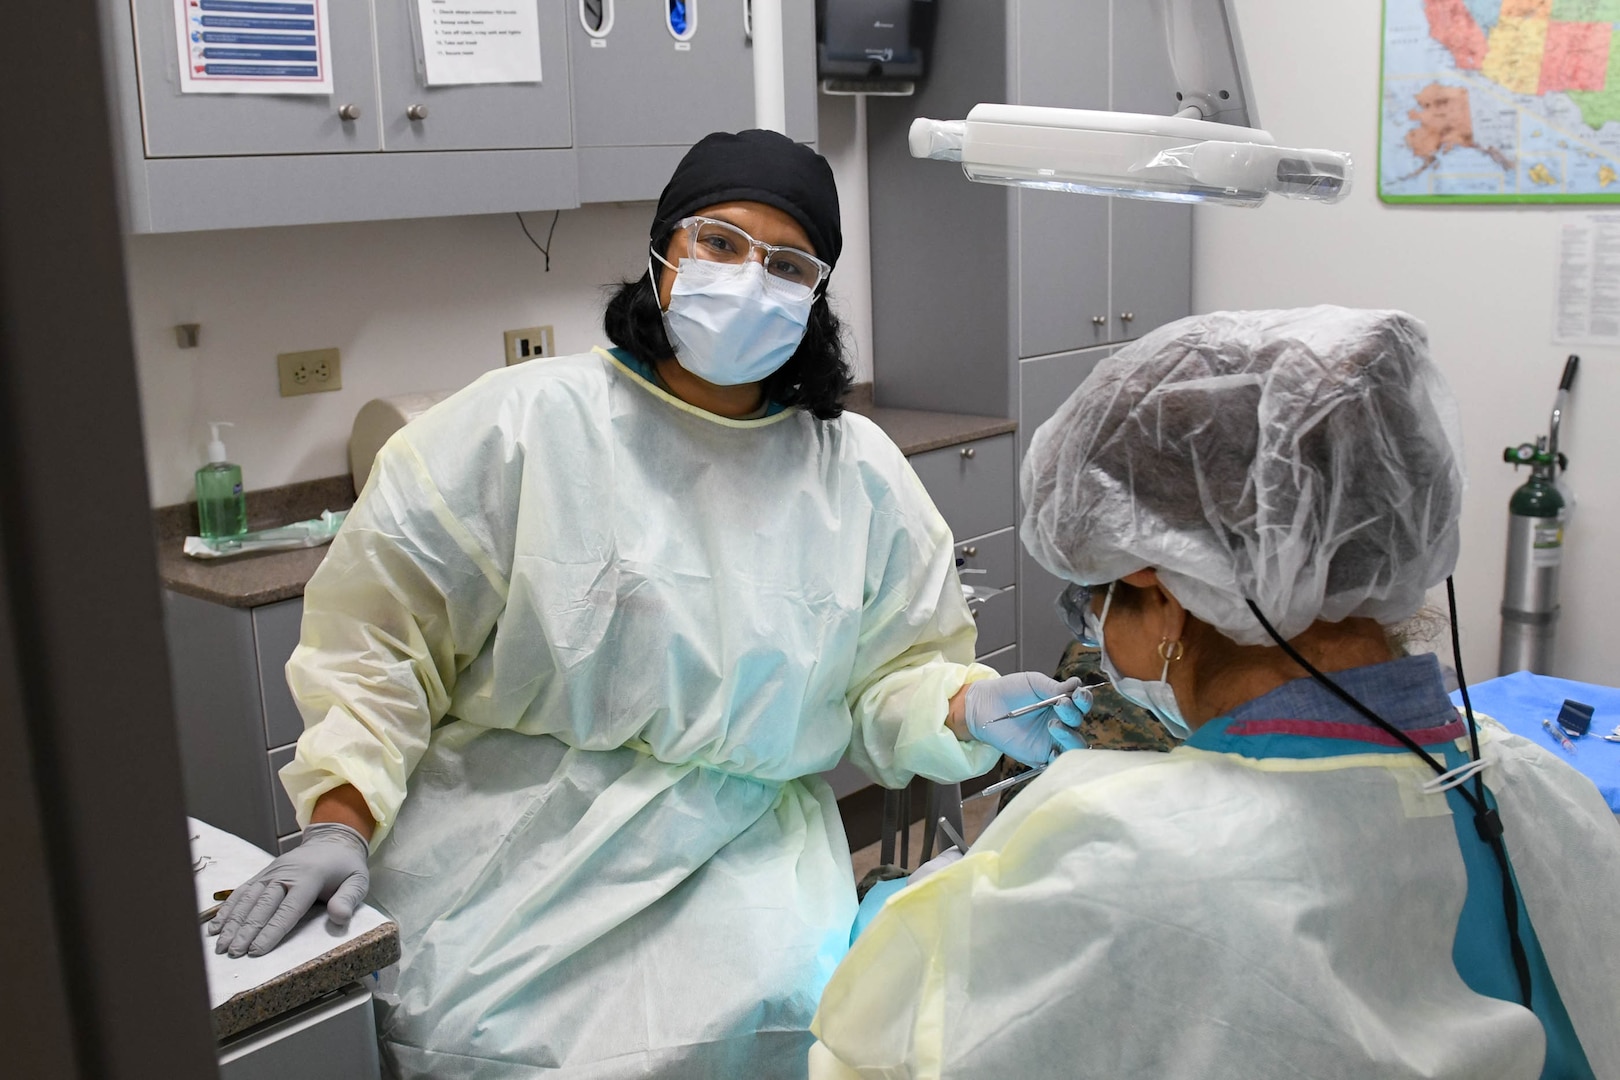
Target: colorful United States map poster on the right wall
<point x="1514" y="101"/>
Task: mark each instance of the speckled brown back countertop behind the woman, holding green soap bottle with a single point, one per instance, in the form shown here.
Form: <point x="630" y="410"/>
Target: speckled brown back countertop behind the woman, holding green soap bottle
<point x="266" y="579"/>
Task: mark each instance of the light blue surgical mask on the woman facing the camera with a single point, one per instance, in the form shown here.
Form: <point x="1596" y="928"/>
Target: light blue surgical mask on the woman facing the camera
<point x="733" y="325"/>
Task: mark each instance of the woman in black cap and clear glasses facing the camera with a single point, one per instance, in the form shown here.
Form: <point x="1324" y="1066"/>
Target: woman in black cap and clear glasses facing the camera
<point x="586" y="642"/>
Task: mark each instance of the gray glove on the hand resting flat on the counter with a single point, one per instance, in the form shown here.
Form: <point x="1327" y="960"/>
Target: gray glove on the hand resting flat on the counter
<point x="330" y="865"/>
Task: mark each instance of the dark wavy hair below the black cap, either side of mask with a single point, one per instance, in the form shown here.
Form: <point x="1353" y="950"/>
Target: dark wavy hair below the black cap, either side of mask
<point x="816" y="378"/>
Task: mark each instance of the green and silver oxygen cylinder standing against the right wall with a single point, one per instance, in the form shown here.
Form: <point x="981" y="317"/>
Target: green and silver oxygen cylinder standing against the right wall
<point x="1537" y="522"/>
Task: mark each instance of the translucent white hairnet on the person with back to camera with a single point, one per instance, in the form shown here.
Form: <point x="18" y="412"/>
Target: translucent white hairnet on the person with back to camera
<point x="1308" y="461"/>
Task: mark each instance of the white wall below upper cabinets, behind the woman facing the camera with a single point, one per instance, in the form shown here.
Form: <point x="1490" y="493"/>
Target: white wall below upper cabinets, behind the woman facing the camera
<point x="414" y="305"/>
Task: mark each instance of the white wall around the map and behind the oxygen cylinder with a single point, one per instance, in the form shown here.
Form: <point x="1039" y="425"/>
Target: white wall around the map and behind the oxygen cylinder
<point x="1481" y="278"/>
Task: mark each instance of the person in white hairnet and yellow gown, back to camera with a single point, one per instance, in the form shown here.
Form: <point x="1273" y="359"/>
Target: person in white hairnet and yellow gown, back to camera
<point x="1336" y="875"/>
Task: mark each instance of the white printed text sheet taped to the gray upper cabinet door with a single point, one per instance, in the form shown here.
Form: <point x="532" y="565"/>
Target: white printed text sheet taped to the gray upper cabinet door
<point x="467" y="43"/>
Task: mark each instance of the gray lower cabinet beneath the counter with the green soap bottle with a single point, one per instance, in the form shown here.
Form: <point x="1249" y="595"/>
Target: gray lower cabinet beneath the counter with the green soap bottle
<point x="236" y="715"/>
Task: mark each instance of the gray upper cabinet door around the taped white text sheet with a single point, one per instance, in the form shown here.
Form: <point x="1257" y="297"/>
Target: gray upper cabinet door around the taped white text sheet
<point x="505" y="117"/>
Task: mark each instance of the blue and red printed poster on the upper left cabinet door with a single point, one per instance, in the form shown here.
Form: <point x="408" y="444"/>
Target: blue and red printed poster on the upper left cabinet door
<point x="254" y="48"/>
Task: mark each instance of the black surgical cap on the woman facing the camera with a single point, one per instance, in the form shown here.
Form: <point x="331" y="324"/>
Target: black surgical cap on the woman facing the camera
<point x="756" y="168"/>
